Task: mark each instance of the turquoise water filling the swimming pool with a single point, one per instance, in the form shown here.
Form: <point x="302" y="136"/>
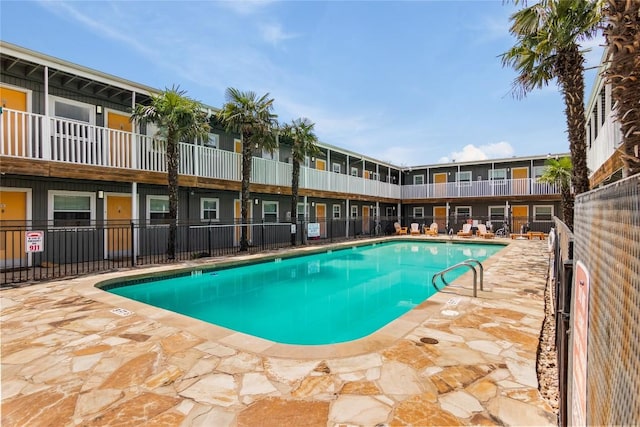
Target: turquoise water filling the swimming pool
<point x="316" y="299"/>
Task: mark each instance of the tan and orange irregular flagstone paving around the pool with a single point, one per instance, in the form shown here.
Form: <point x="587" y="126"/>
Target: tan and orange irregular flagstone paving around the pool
<point x="68" y="360"/>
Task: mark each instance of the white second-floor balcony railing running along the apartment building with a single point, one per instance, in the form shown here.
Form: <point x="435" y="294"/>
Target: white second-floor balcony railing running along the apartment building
<point x="35" y="136"/>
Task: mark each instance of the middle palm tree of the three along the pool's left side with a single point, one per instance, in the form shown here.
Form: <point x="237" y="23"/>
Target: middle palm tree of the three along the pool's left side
<point x="250" y="116"/>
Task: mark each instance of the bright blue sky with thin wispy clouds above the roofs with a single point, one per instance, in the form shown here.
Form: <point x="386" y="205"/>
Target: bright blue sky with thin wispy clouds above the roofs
<point x="408" y="82"/>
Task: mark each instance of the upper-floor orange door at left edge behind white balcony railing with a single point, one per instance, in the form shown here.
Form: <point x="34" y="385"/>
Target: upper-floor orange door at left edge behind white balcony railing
<point x="14" y="123"/>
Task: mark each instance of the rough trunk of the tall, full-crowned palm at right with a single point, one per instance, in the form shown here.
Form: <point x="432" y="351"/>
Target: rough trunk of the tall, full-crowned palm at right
<point x="570" y="71"/>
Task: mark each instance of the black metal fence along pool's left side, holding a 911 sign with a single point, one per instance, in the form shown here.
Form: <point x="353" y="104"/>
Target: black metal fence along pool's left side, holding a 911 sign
<point x="36" y="251"/>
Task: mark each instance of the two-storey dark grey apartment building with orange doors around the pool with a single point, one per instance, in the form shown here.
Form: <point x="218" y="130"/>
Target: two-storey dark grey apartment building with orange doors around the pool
<point x="70" y="158"/>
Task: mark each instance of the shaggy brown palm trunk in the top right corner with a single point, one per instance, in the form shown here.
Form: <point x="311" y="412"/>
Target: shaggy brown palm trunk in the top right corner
<point x="622" y="33"/>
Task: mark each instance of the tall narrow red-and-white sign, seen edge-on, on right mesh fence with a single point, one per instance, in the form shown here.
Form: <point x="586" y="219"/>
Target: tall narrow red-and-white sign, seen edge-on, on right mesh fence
<point x="580" y="330"/>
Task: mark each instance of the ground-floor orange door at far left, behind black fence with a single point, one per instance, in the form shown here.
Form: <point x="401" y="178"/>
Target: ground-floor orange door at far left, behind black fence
<point x="13" y="221"/>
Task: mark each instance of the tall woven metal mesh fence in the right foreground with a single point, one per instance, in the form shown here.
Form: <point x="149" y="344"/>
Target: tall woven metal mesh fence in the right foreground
<point x="597" y="275"/>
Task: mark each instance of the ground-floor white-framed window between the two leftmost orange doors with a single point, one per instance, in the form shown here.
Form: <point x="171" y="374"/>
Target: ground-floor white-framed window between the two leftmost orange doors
<point x="71" y="208"/>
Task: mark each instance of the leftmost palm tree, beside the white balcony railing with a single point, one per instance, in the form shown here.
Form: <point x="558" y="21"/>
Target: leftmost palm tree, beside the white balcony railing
<point x="178" y="118"/>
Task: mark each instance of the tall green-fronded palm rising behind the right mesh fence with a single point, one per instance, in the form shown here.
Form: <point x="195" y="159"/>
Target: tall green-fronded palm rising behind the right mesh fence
<point x="547" y="48"/>
